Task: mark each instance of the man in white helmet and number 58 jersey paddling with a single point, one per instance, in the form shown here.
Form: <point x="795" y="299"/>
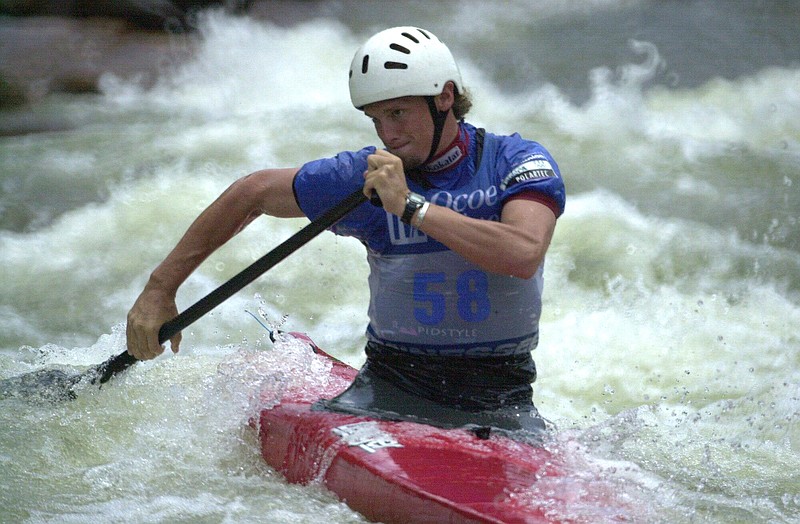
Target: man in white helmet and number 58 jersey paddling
<point x="455" y="252"/>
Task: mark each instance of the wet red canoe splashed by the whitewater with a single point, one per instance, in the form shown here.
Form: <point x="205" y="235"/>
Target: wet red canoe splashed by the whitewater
<point x="406" y="472"/>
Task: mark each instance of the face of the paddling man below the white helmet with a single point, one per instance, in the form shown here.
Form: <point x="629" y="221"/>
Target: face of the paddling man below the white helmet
<point x="405" y="127"/>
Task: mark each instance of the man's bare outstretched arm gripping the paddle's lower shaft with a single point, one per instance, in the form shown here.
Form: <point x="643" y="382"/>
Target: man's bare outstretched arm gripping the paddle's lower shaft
<point x="262" y="192"/>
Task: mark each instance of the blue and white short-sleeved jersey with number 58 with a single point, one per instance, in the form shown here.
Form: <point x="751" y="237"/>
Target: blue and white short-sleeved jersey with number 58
<point x="425" y="298"/>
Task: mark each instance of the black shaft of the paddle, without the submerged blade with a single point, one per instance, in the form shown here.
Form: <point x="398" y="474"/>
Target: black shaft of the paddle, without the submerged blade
<point x="103" y="372"/>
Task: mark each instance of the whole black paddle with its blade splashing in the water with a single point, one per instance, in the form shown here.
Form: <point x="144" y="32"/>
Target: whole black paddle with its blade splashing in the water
<point x="102" y="373"/>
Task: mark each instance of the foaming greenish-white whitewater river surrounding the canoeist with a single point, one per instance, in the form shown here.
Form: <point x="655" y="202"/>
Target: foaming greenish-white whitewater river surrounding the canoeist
<point x="670" y="350"/>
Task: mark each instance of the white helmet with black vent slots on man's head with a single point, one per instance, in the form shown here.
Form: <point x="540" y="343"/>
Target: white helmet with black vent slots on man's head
<point x="401" y="61"/>
